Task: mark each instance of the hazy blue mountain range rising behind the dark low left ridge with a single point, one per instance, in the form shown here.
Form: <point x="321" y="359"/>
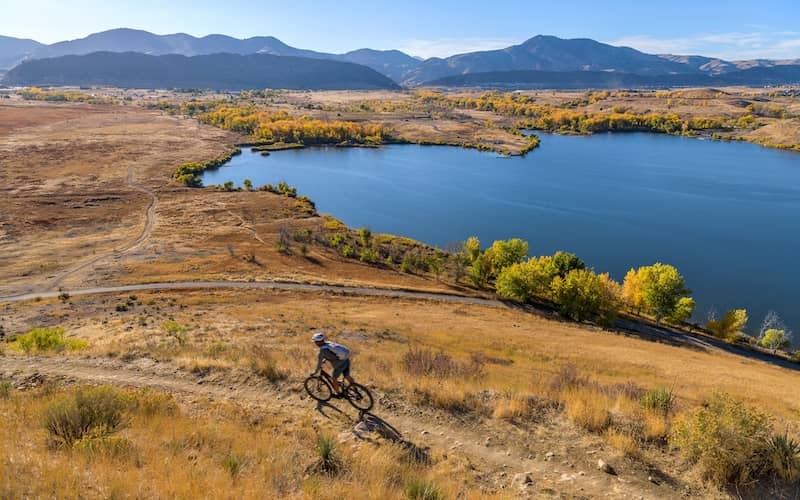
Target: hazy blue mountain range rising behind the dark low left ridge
<point x="536" y="61"/>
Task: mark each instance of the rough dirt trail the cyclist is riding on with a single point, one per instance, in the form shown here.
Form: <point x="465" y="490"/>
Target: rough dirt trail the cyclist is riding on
<point x="497" y="463"/>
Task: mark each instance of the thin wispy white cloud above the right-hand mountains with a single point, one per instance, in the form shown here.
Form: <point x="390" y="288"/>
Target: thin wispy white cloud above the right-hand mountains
<point x="731" y="46"/>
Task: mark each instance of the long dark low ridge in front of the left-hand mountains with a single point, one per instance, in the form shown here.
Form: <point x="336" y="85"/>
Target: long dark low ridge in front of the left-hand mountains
<point x="217" y="71"/>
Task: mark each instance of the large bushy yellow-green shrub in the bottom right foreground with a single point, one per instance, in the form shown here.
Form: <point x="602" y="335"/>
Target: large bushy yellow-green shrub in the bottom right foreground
<point x="726" y="439"/>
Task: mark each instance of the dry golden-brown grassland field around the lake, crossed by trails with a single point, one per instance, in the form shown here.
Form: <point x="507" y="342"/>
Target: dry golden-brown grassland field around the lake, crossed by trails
<point x="482" y="393"/>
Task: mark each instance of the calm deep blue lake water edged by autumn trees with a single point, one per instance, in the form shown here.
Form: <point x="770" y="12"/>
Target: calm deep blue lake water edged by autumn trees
<point x="727" y="215"/>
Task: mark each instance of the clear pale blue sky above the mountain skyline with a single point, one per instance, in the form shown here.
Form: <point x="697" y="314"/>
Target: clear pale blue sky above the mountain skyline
<point x="735" y="29"/>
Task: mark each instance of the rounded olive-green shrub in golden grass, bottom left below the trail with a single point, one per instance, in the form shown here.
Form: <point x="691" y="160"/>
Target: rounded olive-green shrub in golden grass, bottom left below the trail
<point x="92" y="412"/>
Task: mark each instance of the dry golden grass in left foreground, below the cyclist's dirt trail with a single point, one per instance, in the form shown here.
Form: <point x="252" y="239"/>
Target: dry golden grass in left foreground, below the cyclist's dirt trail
<point x="211" y="451"/>
